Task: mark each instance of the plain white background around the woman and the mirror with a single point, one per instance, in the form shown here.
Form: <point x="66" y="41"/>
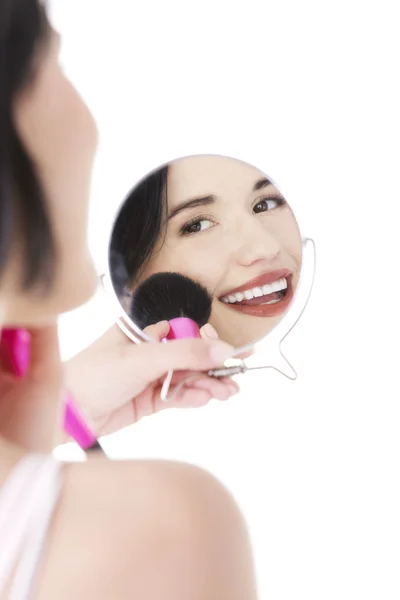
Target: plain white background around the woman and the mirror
<point x="308" y="92"/>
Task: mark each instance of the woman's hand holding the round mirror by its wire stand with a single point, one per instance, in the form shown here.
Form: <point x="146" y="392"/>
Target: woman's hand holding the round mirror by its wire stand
<point x="116" y="382"/>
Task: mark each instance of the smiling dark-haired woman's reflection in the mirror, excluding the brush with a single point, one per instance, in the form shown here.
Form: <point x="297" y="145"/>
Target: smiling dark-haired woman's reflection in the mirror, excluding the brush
<point x="221" y="222"/>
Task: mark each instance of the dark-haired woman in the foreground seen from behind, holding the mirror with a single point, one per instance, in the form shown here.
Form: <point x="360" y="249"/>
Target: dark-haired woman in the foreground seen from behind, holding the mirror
<point x="100" y="529"/>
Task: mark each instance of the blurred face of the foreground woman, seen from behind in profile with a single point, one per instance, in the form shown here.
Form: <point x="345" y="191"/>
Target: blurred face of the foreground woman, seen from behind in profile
<point x="60" y="137"/>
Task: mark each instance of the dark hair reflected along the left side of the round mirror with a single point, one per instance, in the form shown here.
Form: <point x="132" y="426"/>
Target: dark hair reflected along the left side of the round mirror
<point x="137" y="229"/>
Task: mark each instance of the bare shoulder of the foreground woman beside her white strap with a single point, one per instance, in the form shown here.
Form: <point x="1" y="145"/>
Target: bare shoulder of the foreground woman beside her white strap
<point x="146" y="529"/>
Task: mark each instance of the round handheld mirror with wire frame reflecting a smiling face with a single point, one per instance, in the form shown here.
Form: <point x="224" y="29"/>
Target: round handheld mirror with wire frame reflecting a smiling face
<point x="223" y="227"/>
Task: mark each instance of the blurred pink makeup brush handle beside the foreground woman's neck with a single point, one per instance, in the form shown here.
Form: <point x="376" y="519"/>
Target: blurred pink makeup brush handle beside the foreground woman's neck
<point x="15" y="356"/>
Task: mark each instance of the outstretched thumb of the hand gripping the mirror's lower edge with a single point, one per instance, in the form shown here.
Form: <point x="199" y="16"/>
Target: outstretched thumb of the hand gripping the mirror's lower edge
<point x="179" y="355"/>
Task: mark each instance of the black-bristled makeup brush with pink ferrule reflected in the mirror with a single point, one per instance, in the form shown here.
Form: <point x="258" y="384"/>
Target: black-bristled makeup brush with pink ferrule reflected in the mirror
<point x="175" y="298"/>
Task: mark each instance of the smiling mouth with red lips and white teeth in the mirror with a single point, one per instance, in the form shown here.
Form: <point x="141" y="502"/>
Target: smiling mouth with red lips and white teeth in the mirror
<point x="266" y="296"/>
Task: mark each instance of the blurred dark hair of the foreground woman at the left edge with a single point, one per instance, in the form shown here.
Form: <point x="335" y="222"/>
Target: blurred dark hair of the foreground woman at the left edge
<point x="24" y="33"/>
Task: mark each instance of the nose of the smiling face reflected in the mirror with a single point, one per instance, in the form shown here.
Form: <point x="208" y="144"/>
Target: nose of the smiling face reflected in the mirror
<point x="255" y="243"/>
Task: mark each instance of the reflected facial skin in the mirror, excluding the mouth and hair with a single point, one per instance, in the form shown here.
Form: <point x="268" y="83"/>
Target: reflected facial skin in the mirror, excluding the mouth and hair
<point x="243" y="235"/>
